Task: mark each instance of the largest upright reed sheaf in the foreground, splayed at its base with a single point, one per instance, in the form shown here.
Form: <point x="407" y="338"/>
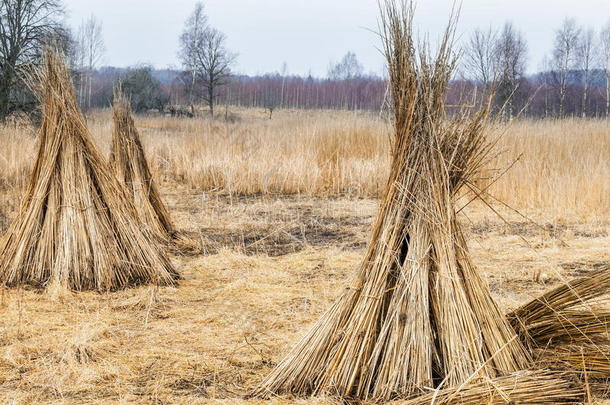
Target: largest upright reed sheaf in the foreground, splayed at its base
<point x="418" y="315"/>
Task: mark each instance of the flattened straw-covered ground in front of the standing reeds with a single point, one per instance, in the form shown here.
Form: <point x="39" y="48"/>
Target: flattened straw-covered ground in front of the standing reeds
<point x="178" y="346"/>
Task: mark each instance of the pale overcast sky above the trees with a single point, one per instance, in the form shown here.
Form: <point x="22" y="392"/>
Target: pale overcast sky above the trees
<point x="309" y="34"/>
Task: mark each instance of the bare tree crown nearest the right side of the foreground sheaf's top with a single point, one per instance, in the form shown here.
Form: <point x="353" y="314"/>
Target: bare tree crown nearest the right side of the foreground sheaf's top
<point x="480" y="56"/>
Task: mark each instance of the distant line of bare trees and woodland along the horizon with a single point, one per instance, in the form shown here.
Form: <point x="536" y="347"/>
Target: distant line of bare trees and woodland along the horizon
<point x="574" y="79"/>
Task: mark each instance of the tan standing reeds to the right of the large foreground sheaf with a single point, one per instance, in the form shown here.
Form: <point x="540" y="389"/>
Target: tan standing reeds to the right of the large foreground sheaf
<point x="563" y="166"/>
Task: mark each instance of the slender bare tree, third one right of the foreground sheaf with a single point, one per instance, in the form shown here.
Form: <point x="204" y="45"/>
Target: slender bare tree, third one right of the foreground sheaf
<point x="565" y="57"/>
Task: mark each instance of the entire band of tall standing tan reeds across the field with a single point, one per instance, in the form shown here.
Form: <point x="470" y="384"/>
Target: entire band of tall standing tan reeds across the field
<point x="563" y="166"/>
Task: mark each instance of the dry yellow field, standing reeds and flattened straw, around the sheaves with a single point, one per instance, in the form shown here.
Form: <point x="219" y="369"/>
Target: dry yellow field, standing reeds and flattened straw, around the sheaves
<point x="283" y="209"/>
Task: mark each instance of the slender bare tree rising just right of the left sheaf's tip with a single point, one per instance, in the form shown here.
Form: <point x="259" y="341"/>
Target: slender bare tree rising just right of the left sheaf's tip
<point x="90" y="50"/>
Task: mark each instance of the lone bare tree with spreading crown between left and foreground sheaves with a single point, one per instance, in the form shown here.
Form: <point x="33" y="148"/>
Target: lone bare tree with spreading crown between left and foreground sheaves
<point x="204" y="54"/>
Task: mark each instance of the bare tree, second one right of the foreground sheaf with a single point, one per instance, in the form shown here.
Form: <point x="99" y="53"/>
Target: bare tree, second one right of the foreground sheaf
<point x="511" y="55"/>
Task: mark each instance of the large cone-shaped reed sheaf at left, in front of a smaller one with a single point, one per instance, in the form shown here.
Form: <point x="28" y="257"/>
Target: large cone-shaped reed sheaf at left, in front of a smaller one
<point x="77" y="228"/>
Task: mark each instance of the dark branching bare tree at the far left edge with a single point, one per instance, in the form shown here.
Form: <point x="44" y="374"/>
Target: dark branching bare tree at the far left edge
<point x="25" y="26"/>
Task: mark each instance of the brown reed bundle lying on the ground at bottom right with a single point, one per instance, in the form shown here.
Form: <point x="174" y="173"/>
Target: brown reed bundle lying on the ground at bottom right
<point x="568" y="328"/>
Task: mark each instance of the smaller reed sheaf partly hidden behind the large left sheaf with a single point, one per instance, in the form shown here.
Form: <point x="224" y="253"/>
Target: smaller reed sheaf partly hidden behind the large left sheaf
<point x="128" y="160"/>
